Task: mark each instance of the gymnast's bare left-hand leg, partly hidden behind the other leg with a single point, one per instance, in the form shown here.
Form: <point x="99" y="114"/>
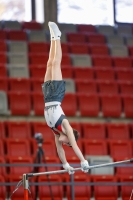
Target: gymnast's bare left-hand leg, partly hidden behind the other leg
<point x="48" y="74"/>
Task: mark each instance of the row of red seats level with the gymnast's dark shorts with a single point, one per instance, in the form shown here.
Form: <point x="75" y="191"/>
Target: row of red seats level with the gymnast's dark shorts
<point x="87" y="86"/>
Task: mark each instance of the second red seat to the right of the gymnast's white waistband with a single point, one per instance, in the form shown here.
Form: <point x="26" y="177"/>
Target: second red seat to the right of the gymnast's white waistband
<point x="89" y="104"/>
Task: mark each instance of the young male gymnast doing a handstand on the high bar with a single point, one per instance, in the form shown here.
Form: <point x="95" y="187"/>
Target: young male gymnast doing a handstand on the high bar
<point x="54" y="90"/>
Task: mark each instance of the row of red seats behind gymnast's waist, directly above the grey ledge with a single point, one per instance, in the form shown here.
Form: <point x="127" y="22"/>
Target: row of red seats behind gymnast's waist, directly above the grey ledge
<point x="87" y="104"/>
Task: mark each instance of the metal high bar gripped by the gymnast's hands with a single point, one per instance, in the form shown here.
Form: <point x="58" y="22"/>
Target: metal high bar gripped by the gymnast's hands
<point x="77" y="169"/>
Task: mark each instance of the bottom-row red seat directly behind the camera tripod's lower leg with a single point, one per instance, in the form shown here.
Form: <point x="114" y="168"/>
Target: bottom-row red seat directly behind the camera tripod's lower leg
<point x="44" y="191"/>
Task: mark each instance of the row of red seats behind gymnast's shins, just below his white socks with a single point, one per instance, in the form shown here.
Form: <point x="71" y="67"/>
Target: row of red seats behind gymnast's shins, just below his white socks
<point x="72" y="48"/>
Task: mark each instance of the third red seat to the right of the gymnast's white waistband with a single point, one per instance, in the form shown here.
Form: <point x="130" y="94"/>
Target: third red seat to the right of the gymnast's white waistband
<point x="111" y="105"/>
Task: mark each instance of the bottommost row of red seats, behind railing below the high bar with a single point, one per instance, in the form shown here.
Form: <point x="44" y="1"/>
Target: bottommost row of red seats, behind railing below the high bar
<point x="106" y="189"/>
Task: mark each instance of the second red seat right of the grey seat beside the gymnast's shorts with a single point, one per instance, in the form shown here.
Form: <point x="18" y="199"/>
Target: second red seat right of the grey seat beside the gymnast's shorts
<point x="108" y="87"/>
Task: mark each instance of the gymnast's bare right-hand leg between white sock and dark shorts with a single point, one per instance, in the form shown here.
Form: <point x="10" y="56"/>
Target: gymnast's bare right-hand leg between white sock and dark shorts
<point x="56" y="64"/>
